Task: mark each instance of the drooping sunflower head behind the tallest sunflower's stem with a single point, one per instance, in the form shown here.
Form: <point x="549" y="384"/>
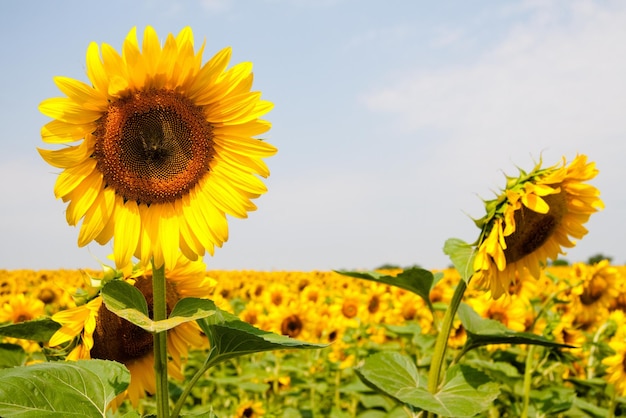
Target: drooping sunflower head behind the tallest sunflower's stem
<point x="96" y="332"/>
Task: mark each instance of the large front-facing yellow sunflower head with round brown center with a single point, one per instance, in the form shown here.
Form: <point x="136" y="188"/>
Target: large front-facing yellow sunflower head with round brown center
<point x="160" y="147"/>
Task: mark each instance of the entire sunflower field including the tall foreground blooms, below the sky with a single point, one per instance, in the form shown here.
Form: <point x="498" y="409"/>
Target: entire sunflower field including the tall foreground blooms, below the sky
<point x="158" y="150"/>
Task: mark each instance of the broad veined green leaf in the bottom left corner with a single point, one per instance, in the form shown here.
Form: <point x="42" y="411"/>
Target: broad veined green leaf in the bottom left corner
<point x="61" y="389"/>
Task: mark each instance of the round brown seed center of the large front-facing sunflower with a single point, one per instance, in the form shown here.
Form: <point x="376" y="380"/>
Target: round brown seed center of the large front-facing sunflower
<point x="154" y="146"/>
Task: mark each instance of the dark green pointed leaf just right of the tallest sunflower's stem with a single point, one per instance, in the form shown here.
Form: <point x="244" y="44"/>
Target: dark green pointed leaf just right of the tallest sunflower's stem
<point x="231" y="337"/>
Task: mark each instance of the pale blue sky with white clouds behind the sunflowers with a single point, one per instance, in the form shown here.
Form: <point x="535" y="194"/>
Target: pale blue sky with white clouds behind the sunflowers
<point x="393" y="120"/>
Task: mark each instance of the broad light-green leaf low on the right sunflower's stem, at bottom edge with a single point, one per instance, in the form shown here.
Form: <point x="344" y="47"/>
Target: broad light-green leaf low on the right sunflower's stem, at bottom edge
<point x="465" y="393"/>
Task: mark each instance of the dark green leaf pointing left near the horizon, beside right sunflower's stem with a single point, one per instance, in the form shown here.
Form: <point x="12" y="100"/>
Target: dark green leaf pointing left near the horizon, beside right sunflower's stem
<point x="416" y="280"/>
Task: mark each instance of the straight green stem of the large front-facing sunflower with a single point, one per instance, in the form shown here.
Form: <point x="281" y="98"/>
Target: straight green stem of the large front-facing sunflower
<point x="159" y="313"/>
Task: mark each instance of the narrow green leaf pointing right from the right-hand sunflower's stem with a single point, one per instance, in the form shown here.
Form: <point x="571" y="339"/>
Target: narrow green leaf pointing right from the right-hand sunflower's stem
<point x="481" y="331"/>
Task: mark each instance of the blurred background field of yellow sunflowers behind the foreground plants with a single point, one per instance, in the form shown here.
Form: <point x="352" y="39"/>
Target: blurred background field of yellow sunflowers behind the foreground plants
<point x="581" y="306"/>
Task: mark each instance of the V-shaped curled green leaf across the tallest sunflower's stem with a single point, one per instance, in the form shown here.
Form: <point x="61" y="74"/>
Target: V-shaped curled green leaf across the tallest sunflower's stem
<point x="128" y="302"/>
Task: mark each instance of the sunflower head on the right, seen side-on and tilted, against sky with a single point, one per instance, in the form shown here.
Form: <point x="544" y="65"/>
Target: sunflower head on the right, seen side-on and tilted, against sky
<point x="532" y="220"/>
